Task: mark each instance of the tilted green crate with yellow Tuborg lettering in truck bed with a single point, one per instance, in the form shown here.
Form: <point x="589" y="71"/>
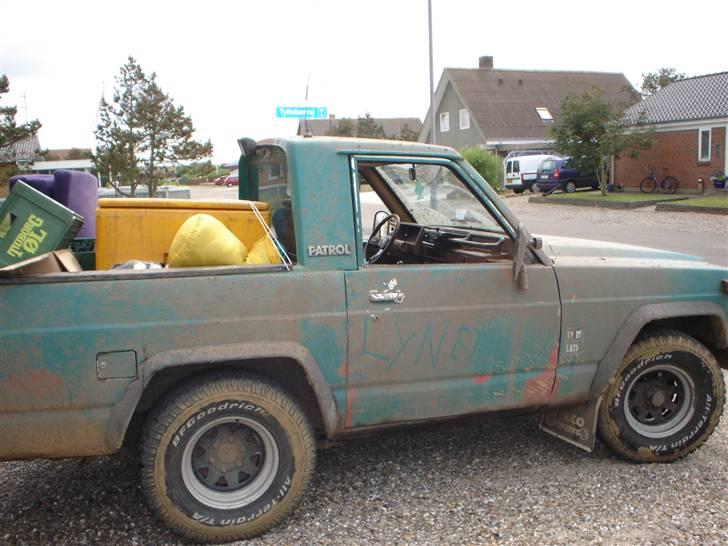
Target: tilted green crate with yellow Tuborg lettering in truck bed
<point x="32" y="224"/>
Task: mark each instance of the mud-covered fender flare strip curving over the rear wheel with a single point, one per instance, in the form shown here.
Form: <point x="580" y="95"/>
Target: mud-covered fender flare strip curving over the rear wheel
<point x="123" y="411"/>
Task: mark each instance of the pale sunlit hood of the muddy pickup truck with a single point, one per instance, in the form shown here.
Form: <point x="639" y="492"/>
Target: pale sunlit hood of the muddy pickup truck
<point x="570" y="247"/>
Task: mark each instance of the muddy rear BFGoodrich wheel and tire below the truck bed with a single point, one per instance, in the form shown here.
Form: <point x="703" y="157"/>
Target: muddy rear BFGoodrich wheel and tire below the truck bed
<point x="226" y="457"/>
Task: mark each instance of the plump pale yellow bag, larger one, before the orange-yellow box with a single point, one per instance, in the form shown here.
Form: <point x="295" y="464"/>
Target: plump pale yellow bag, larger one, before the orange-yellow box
<point x="205" y="241"/>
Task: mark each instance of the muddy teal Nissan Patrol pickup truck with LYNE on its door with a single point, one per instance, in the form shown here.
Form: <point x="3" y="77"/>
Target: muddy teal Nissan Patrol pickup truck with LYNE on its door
<point x="409" y="293"/>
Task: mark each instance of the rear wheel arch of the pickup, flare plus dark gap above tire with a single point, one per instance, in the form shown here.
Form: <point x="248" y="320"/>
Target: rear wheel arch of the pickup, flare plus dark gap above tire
<point x="288" y="364"/>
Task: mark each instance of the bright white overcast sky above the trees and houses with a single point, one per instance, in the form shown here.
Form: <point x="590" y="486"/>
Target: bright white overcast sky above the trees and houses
<point x="230" y="64"/>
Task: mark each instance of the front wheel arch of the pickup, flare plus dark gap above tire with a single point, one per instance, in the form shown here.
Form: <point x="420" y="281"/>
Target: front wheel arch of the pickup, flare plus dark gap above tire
<point x="705" y="321"/>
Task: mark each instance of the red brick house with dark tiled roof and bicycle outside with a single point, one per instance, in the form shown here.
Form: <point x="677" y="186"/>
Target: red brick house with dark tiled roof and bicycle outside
<point x="690" y="119"/>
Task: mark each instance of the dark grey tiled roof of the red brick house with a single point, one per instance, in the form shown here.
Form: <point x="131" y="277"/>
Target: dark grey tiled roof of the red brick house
<point x="700" y="97"/>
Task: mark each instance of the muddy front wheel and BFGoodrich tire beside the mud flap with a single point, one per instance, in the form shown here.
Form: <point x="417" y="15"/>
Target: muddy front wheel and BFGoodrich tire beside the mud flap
<point x="664" y="401"/>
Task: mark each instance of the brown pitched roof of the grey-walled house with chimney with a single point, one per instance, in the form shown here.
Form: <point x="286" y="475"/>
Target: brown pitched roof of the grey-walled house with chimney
<point x="504" y="102"/>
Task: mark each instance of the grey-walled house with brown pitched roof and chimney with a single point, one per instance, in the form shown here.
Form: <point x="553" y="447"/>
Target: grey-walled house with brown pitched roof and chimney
<point x="506" y="110"/>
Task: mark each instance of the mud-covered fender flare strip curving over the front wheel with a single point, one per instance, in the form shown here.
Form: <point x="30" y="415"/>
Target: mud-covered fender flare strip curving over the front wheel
<point x="637" y="321"/>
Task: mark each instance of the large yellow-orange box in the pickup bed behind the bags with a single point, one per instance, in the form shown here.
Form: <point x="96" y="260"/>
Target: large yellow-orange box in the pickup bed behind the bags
<point x="143" y="229"/>
